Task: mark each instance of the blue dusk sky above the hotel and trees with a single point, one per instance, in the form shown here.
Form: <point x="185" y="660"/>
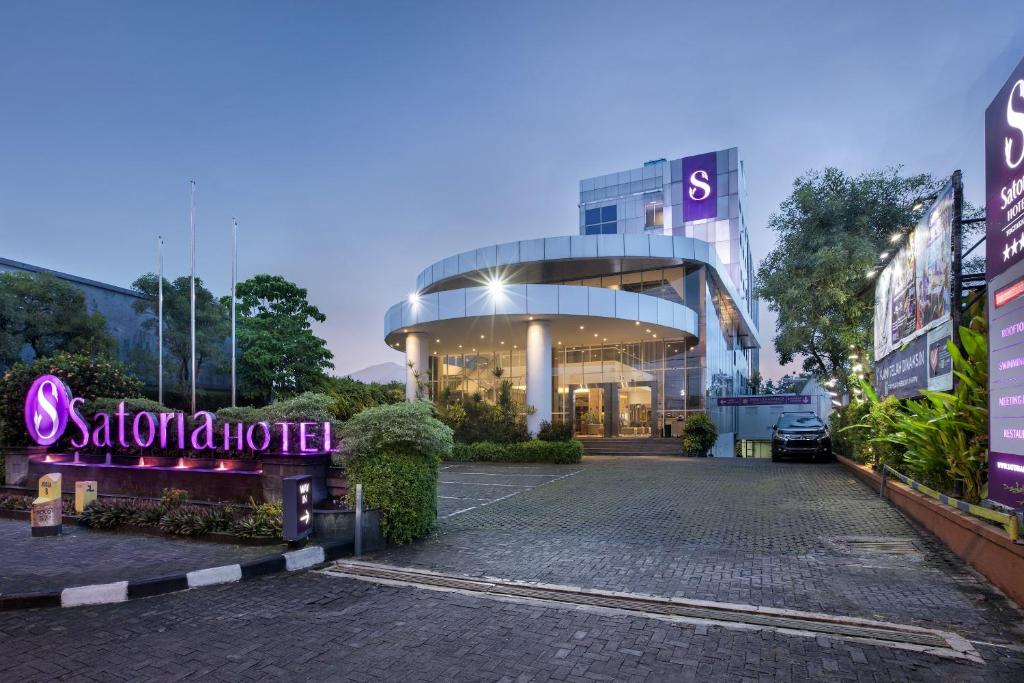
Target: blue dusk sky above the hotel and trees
<point x="359" y="143"/>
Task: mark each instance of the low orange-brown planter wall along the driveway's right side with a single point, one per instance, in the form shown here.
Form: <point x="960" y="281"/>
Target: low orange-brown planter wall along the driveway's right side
<point x="985" y="547"/>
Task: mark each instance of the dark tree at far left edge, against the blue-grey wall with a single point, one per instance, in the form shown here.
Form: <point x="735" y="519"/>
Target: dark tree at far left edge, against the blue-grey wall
<point x="49" y="315"/>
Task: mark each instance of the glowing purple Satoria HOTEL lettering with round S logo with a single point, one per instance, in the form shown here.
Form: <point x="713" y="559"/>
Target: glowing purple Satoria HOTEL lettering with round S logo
<point x="51" y="409"/>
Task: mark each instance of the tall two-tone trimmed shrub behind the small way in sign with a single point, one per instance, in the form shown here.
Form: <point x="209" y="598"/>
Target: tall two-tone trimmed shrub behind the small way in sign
<point x="394" y="452"/>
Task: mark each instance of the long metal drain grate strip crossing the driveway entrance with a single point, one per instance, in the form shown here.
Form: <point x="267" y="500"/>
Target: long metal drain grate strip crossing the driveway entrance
<point x="938" y="643"/>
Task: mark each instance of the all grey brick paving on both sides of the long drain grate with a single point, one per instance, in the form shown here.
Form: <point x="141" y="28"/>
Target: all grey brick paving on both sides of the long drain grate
<point x="747" y="532"/>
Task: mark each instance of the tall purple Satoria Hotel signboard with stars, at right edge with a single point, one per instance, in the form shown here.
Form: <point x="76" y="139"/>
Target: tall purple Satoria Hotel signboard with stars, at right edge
<point x="1005" y="266"/>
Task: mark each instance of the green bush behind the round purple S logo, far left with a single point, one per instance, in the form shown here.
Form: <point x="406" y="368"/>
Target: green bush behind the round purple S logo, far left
<point x="89" y="377"/>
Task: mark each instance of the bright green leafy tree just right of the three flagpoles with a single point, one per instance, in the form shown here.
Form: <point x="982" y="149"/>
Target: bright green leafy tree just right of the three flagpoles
<point x="279" y="355"/>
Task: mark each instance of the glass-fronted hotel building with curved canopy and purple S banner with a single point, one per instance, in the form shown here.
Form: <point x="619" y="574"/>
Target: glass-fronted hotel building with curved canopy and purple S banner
<point x="622" y="330"/>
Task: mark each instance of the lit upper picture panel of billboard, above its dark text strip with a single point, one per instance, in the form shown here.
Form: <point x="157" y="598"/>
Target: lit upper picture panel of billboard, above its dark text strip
<point x="913" y="294"/>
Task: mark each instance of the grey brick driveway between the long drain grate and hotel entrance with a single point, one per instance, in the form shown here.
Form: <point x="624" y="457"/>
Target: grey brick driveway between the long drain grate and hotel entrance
<point x="753" y="532"/>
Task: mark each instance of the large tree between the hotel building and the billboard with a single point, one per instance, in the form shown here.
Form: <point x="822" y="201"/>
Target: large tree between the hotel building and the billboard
<point x="831" y="231"/>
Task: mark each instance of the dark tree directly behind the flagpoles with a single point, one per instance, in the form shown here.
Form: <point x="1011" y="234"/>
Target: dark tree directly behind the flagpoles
<point x="212" y="326"/>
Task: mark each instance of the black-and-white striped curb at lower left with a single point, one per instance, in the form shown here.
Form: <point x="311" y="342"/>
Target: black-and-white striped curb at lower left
<point x="123" y="591"/>
